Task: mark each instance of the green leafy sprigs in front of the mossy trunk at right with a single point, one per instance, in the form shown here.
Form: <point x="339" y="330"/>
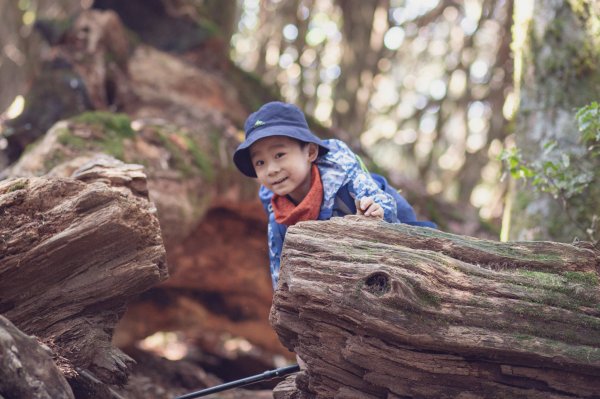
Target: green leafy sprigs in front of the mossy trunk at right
<point x="566" y="175"/>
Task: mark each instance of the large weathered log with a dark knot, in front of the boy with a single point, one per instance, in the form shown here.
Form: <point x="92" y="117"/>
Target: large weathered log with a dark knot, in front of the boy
<point x="386" y="310"/>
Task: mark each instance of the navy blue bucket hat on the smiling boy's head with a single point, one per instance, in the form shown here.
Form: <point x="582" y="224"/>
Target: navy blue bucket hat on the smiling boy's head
<point x="273" y="119"/>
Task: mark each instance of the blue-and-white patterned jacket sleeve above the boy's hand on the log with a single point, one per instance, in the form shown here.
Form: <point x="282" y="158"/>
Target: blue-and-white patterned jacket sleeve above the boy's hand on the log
<point x="361" y="184"/>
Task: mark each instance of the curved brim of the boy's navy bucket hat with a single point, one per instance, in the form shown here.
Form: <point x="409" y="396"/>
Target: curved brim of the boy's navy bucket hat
<point x="241" y="157"/>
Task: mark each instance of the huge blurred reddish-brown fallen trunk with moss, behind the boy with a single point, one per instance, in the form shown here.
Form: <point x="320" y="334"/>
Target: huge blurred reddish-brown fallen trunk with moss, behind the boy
<point x="181" y="120"/>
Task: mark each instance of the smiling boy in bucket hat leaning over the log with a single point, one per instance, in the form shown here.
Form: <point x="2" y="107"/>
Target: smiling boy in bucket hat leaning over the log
<point x="305" y="178"/>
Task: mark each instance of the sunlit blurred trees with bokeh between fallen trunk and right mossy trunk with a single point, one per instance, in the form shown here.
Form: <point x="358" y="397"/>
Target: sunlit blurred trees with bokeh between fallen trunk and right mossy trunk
<point x="418" y="85"/>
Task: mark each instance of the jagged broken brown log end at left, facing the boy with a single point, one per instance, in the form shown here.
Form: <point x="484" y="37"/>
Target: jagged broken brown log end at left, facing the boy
<point x="73" y="252"/>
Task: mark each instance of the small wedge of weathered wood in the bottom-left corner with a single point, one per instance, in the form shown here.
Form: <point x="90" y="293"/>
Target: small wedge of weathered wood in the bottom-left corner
<point x="26" y="367"/>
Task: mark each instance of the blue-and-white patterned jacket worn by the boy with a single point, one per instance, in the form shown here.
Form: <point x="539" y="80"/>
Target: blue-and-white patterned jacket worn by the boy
<point x="343" y="180"/>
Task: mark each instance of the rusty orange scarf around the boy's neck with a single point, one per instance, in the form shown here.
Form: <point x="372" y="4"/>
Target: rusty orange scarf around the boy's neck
<point x="288" y="213"/>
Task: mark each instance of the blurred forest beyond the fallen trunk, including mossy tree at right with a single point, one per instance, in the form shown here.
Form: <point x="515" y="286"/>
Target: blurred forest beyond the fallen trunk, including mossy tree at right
<point x="435" y="92"/>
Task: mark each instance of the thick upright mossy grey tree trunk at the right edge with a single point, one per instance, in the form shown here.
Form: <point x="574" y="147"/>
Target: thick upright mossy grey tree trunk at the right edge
<point x="557" y="51"/>
